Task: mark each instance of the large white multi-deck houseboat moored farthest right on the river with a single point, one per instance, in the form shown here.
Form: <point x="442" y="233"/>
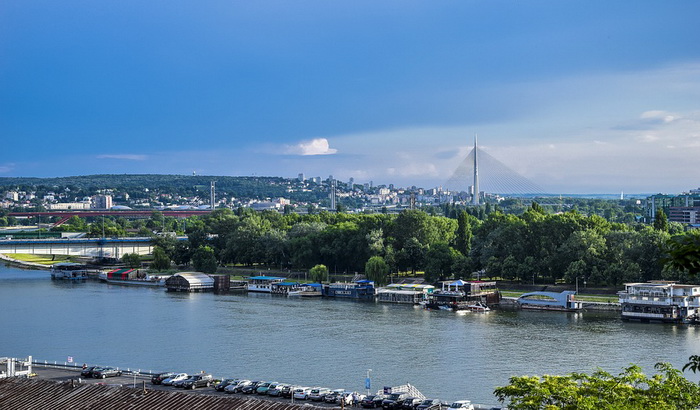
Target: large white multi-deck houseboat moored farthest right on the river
<point x="661" y="301"/>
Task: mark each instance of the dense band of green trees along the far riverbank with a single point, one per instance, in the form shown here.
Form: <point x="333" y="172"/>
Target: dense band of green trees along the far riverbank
<point x="534" y="247"/>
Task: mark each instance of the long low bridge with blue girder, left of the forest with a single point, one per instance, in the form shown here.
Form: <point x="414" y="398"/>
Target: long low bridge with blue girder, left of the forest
<point x="89" y="247"/>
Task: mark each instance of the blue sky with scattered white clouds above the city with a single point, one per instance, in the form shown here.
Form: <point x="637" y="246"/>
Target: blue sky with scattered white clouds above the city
<point x="578" y="97"/>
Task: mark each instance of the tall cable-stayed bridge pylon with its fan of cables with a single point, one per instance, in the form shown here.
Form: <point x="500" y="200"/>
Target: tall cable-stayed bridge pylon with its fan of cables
<point x="493" y="176"/>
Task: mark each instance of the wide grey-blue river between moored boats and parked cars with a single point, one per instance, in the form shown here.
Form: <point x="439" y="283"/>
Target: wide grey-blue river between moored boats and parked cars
<point x="332" y="343"/>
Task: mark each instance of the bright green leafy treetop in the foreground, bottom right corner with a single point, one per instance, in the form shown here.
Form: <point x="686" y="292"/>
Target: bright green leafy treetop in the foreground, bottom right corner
<point x="631" y="389"/>
